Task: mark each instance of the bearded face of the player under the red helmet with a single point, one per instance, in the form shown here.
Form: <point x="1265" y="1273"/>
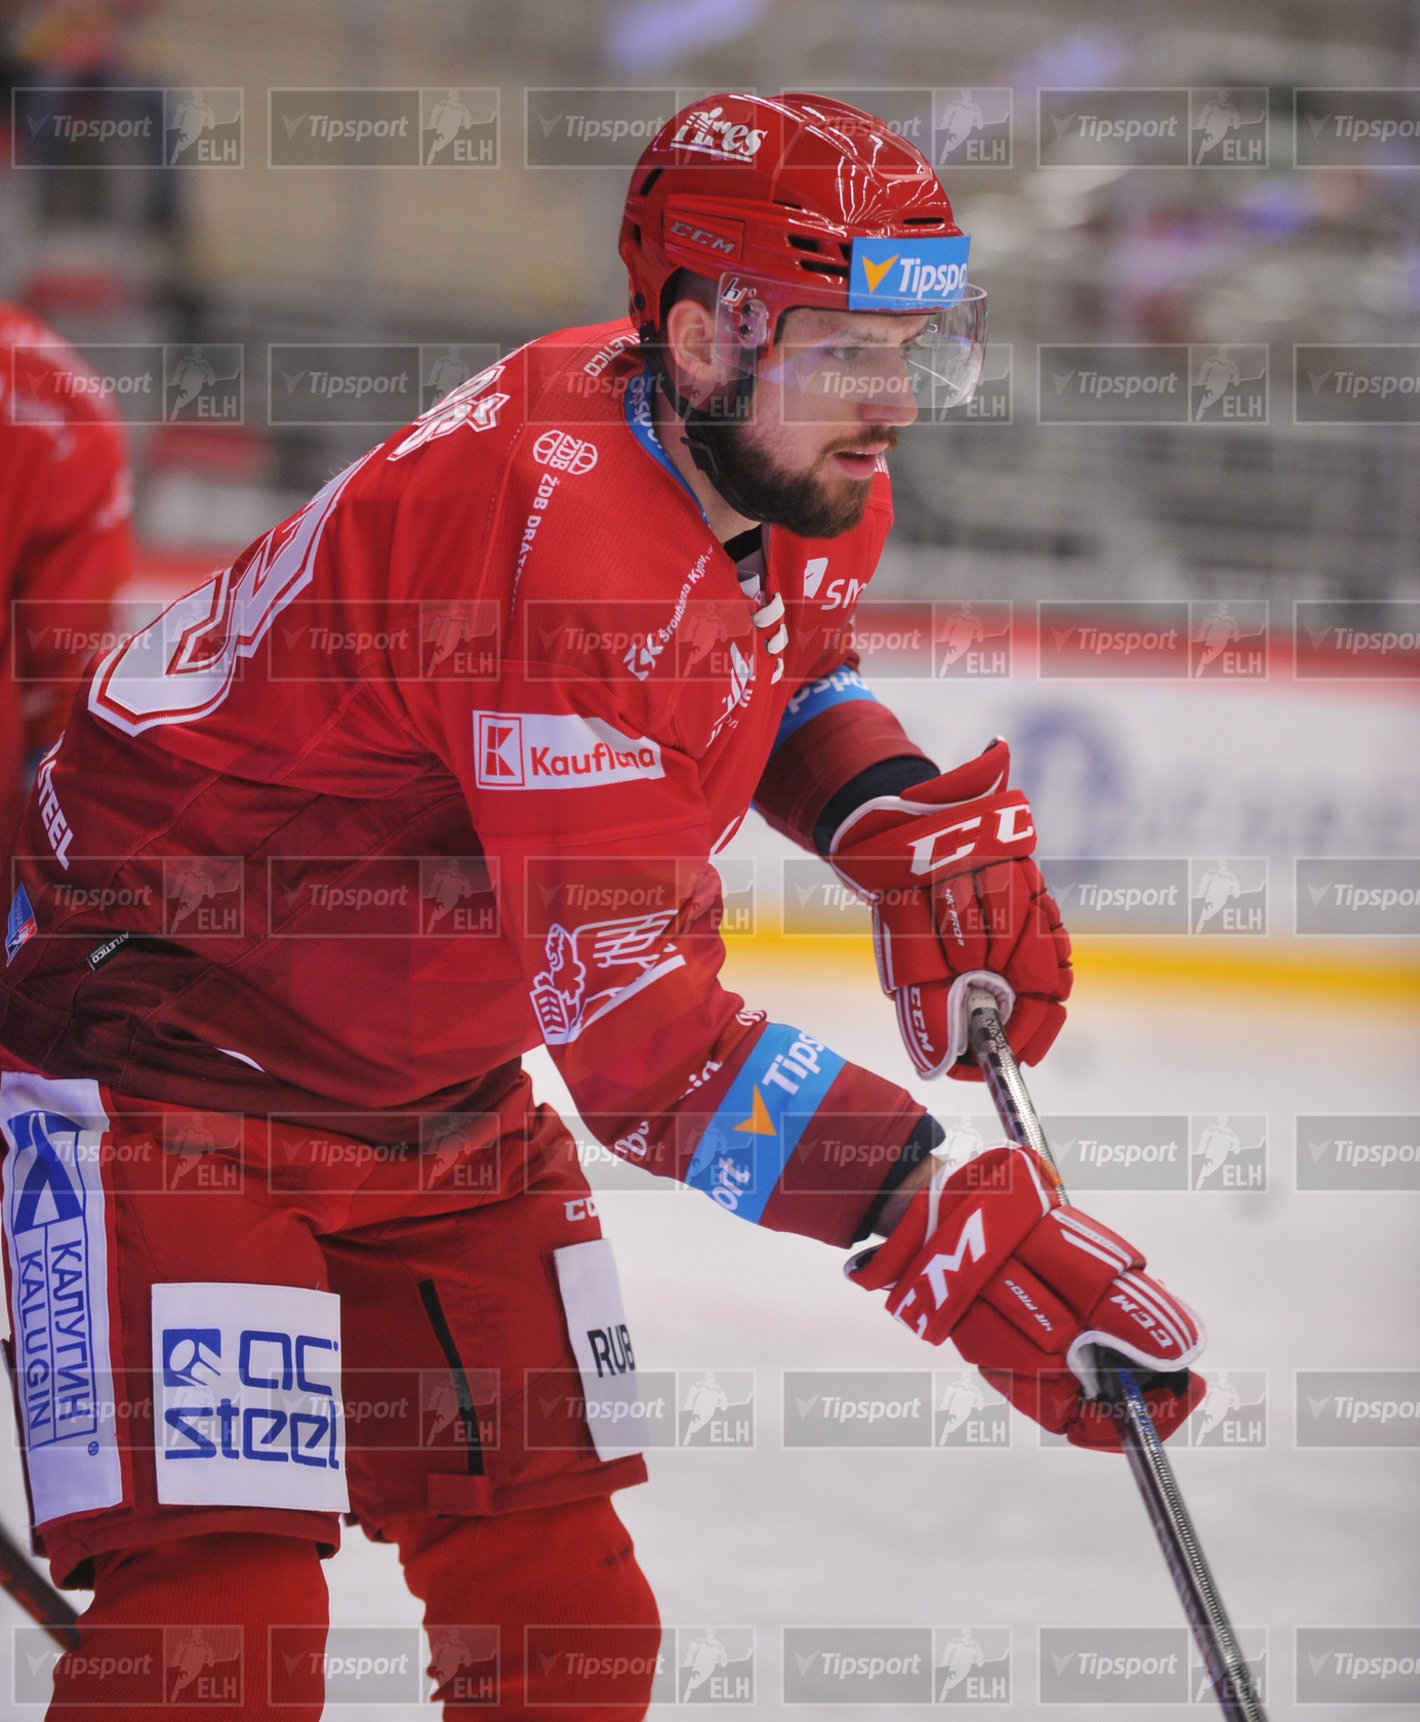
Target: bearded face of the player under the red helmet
<point x="829" y="400"/>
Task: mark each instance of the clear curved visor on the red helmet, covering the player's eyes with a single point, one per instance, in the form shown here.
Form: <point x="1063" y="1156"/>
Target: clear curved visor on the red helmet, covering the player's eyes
<point x="934" y="356"/>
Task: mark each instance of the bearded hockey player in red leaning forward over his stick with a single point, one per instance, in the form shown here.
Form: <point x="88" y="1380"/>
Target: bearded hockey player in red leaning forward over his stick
<point x="793" y="268"/>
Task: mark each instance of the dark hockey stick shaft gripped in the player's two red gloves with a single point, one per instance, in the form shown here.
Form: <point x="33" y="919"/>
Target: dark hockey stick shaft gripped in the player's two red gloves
<point x="1213" y="1632"/>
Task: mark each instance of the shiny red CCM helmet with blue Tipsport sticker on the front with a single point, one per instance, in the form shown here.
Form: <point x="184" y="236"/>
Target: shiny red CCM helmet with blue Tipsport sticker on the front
<point x="775" y="190"/>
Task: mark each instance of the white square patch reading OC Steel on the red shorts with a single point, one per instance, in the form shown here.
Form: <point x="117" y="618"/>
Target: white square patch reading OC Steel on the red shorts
<point x="247" y="1397"/>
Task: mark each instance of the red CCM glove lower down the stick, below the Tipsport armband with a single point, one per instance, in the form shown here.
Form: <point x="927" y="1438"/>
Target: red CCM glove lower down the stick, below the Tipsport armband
<point x="1027" y="1287"/>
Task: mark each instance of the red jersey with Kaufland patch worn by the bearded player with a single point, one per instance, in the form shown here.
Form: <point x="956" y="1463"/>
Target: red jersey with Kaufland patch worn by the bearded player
<point x="433" y="774"/>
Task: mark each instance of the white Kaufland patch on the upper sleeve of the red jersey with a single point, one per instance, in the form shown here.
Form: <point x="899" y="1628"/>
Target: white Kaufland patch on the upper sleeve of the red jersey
<point x="559" y="750"/>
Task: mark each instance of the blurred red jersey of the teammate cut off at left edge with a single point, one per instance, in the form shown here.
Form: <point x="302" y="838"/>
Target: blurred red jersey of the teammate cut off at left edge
<point x="65" y="540"/>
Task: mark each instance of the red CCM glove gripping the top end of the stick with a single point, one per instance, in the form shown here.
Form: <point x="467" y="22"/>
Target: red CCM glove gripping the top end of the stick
<point x="954" y="893"/>
